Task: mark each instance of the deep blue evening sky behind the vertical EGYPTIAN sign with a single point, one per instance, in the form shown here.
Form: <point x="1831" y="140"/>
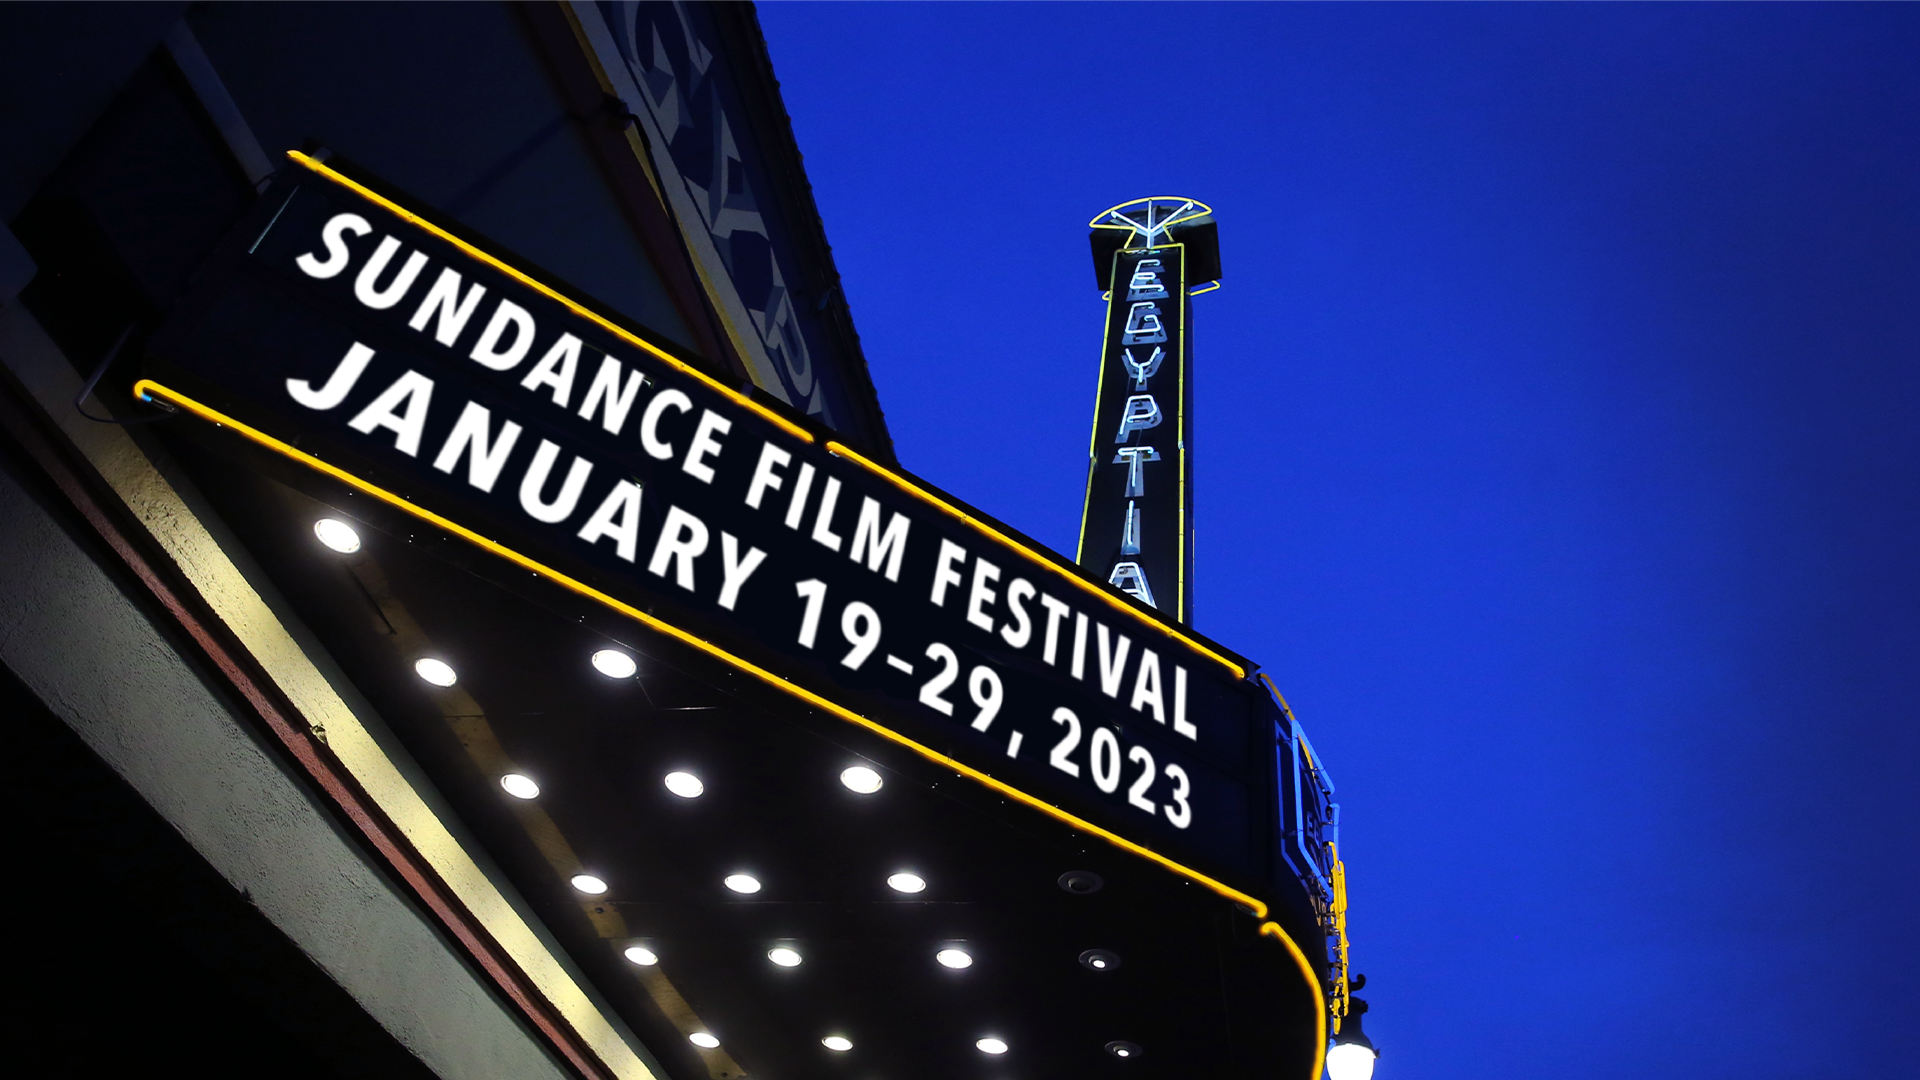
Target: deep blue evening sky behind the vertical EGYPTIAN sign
<point x="1558" y="454"/>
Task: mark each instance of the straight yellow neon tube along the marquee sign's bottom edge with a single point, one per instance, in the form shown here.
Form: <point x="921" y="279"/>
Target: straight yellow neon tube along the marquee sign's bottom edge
<point x="147" y="389"/>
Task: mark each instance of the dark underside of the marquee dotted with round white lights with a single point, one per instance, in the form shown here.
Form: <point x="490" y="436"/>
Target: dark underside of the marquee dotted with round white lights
<point x="1188" y="977"/>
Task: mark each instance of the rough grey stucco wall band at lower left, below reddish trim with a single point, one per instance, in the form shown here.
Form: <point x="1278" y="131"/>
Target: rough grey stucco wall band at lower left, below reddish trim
<point x="107" y="670"/>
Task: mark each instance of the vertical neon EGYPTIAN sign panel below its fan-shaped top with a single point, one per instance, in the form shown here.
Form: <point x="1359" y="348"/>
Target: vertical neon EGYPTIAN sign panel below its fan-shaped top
<point x="1136" y="531"/>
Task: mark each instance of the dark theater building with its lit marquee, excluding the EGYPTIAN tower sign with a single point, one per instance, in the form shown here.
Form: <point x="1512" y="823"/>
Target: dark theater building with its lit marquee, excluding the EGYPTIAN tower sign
<point x="464" y="616"/>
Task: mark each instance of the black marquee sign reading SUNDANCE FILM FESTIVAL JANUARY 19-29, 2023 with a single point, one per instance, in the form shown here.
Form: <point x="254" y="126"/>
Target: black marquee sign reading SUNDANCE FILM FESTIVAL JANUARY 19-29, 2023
<point x="360" y="339"/>
